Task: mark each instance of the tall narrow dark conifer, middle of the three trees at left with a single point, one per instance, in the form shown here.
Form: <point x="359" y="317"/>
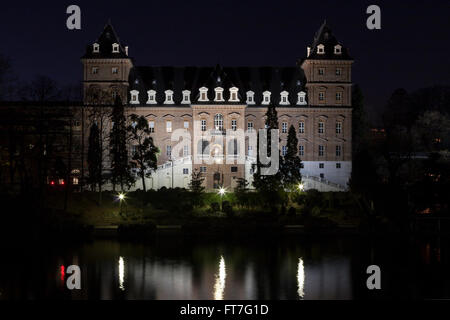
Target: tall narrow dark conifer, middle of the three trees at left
<point x="120" y="166"/>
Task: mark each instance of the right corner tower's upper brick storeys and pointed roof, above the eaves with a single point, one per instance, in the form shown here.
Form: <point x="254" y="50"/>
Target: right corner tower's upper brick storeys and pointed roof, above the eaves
<point x="328" y="69"/>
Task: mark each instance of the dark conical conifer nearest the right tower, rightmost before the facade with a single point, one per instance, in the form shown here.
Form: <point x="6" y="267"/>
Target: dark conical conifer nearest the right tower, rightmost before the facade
<point x="291" y="164"/>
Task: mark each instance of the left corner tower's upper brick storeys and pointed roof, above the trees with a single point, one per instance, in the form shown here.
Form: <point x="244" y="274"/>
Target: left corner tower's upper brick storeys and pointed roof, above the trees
<point x="106" y="66"/>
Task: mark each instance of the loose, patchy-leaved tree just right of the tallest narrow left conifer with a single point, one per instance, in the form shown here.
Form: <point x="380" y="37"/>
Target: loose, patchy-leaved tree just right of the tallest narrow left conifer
<point x="145" y="154"/>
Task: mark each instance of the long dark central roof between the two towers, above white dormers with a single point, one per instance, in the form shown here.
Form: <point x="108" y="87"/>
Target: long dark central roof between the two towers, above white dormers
<point x="257" y="79"/>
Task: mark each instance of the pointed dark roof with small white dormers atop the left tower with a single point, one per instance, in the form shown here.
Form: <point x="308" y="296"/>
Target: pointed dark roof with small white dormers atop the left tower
<point x="106" y="40"/>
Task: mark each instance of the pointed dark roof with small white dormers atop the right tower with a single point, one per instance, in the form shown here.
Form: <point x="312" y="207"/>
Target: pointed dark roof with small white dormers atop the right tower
<point x="325" y="36"/>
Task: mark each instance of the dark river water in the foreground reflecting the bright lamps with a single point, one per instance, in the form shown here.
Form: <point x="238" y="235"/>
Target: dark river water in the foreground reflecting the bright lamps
<point x="176" y="267"/>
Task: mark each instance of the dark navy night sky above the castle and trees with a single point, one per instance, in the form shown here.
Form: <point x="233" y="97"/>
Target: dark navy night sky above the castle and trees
<point x="410" y="51"/>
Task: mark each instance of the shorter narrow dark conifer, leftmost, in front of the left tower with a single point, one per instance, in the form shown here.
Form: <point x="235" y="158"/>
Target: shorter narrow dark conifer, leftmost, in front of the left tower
<point x="94" y="157"/>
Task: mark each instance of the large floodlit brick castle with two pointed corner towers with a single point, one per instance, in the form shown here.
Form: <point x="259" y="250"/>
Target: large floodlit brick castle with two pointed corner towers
<point x="219" y="108"/>
